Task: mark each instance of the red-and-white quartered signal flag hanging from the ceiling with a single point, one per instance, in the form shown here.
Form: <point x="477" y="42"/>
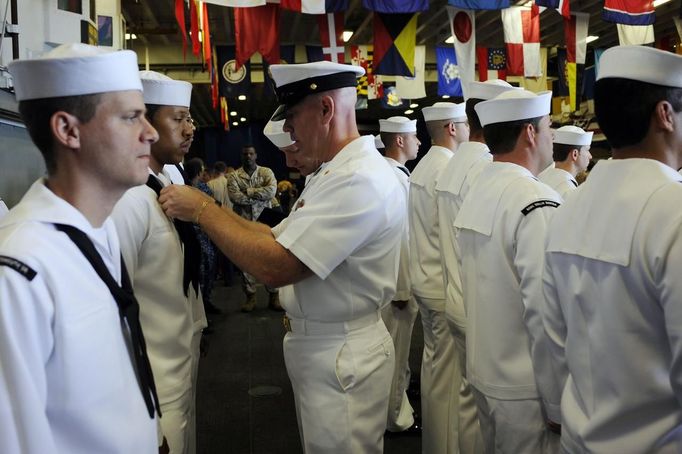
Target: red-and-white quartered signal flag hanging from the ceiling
<point x="522" y="37"/>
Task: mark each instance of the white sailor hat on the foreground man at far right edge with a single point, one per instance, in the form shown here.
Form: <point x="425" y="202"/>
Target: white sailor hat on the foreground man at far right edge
<point x="641" y="63"/>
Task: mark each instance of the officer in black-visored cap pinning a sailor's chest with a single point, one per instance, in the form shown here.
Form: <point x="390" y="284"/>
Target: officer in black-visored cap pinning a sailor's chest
<point x="335" y="258"/>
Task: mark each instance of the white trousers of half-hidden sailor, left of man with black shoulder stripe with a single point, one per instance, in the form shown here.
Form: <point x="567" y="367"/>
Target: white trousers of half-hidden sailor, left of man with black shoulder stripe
<point x="465" y="417"/>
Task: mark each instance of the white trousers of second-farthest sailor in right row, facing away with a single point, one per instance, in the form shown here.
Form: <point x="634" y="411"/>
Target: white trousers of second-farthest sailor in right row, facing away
<point x="439" y="432"/>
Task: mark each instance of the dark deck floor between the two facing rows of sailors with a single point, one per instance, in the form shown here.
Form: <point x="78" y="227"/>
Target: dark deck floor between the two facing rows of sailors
<point x="245" y="354"/>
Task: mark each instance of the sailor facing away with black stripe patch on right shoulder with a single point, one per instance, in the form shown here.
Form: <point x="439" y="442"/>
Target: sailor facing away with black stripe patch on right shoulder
<point x="501" y="229"/>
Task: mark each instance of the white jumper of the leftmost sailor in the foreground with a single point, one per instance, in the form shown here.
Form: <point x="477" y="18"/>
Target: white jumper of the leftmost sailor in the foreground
<point x="67" y="381"/>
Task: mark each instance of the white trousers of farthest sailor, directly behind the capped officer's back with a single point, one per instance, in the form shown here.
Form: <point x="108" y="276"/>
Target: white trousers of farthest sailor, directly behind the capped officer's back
<point x="399" y="323"/>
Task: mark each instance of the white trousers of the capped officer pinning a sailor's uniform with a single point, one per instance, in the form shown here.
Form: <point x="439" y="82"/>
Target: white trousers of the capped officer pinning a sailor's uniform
<point x="340" y="383"/>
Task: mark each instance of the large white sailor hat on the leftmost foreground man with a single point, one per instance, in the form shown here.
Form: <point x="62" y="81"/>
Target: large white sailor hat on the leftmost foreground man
<point x="75" y="70"/>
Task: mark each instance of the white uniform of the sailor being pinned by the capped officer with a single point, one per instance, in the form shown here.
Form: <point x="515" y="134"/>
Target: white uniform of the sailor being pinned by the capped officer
<point x="153" y="254"/>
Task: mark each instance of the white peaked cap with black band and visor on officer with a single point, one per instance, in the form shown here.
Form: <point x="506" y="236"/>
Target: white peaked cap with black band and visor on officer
<point x="295" y="82"/>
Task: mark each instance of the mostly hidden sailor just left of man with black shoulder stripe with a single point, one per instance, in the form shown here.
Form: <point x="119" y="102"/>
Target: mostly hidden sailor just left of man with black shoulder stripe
<point x="461" y="171"/>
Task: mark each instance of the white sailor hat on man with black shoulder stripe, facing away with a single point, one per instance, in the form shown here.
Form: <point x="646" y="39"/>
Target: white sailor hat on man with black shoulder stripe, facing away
<point x="514" y="105"/>
